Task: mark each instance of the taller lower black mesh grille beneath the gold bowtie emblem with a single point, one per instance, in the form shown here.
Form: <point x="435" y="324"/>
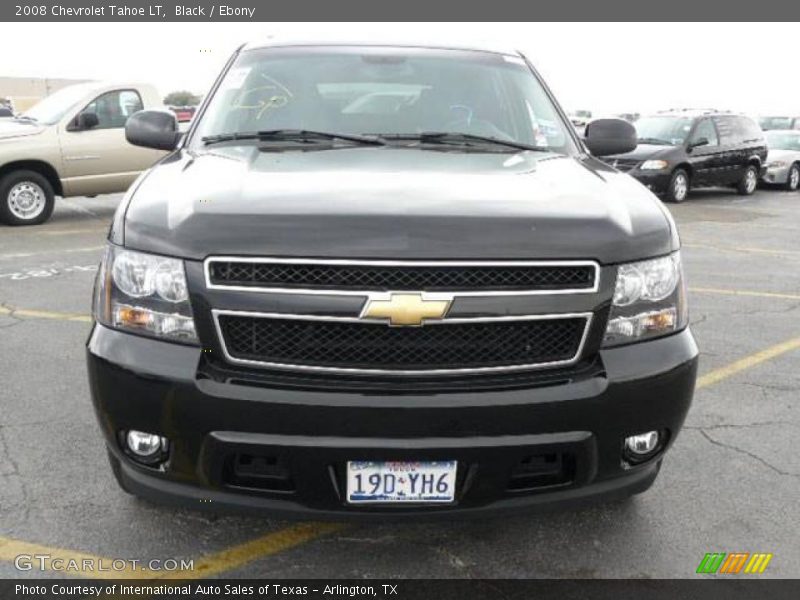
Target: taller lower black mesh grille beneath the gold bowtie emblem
<point x="363" y="346"/>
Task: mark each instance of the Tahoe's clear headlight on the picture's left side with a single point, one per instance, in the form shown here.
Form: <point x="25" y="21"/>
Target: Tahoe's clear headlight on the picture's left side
<point x="144" y="293"/>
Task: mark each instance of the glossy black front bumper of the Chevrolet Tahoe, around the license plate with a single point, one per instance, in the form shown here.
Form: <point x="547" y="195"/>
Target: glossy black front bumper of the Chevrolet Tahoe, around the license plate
<point x="308" y="434"/>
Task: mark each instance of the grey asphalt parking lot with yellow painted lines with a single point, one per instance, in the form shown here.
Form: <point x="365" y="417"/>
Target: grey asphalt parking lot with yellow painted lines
<point x="730" y="484"/>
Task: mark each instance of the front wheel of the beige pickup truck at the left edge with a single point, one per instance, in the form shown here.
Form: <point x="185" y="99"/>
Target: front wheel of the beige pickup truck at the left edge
<point x="26" y="198"/>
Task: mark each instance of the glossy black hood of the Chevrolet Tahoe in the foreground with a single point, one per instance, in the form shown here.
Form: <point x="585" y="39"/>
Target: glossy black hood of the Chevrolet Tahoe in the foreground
<point x="393" y="202"/>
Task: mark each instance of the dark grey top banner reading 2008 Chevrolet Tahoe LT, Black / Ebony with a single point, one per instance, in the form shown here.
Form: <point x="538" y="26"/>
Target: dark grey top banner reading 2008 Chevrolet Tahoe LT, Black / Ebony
<point x="395" y="10"/>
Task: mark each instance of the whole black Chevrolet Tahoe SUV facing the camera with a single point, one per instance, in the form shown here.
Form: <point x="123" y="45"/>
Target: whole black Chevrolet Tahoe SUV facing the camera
<point x="387" y="281"/>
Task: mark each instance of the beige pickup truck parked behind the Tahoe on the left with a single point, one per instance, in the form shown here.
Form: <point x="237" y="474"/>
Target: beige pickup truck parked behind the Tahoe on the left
<point x="72" y="143"/>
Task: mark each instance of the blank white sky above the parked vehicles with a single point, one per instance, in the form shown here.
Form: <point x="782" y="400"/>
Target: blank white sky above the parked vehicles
<point x="603" y="67"/>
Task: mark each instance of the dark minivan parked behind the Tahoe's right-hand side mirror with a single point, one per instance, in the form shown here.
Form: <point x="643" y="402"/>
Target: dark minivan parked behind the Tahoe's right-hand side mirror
<point x="684" y="149"/>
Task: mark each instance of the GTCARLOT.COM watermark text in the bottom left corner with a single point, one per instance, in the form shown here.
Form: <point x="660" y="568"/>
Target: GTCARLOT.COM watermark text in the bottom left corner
<point x="47" y="562"/>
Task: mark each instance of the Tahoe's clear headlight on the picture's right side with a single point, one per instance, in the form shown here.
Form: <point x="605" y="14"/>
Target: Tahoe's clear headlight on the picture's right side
<point x="649" y="301"/>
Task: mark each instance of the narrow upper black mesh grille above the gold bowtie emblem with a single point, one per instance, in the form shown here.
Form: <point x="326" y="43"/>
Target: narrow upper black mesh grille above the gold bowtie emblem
<point x="399" y="277"/>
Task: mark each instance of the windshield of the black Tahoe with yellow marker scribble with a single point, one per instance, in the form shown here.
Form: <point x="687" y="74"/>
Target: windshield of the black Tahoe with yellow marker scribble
<point x="375" y="91"/>
